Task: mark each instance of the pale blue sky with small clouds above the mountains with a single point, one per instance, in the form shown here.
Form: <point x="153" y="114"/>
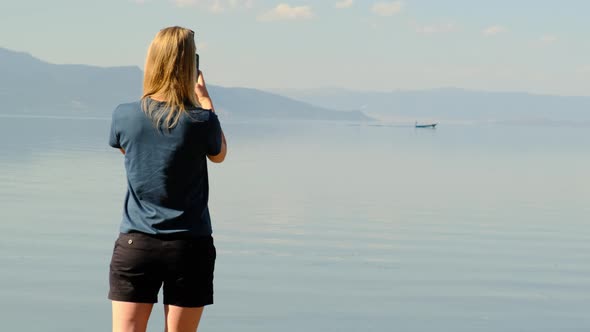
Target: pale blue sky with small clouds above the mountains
<point x="497" y="45"/>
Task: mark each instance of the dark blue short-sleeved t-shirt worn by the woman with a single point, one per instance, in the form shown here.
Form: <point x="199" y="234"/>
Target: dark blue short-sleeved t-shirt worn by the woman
<point x="167" y="181"/>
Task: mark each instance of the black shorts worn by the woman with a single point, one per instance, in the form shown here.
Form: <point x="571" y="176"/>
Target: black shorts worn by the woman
<point x="142" y="263"/>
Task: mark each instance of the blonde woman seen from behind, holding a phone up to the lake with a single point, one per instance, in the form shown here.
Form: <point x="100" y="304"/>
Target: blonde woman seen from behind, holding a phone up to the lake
<point x="165" y="237"/>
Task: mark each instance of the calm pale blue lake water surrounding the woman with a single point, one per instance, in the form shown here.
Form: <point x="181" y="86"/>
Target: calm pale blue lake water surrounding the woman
<point x="319" y="227"/>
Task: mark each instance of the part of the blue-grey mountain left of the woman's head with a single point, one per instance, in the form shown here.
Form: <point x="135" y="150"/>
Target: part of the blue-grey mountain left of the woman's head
<point x="29" y="85"/>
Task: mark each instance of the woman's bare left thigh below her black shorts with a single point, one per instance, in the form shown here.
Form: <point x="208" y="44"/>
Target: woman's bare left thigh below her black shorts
<point x="130" y="317"/>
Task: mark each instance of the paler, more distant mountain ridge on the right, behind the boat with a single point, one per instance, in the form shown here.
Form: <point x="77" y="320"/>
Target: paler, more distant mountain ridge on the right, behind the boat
<point x="452" y="104"/>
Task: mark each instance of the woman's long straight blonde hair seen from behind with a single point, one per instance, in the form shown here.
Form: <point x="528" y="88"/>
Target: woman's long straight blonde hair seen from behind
<point x="170" y="74"/>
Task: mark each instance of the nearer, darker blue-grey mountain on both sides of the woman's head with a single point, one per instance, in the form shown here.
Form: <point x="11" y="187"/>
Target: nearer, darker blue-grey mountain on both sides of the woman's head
<point x="31" y="86"/>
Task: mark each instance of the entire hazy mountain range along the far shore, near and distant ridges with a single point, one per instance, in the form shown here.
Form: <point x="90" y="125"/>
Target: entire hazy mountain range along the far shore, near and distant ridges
<point x="31" y="86"/>
